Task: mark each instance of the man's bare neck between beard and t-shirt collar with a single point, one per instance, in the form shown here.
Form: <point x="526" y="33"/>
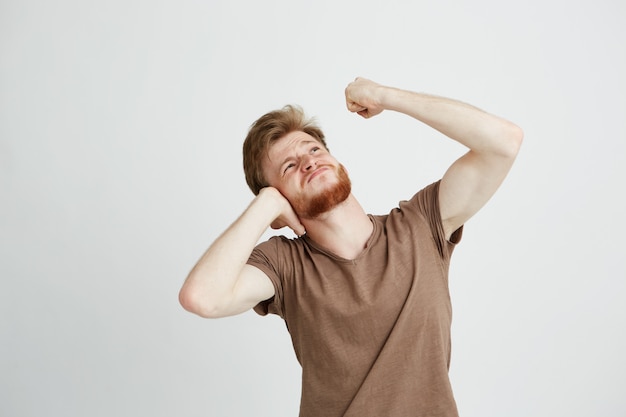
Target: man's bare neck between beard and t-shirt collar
<point x="344" y="230"/>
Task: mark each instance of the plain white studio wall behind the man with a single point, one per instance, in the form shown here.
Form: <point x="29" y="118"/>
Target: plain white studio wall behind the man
<point x="121" y="124"/>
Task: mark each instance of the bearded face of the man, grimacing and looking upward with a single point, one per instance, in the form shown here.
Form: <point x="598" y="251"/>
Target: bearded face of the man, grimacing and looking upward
<point x="306" y="174"/>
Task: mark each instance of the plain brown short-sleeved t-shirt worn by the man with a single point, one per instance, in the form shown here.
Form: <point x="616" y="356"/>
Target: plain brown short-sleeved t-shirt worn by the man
<point x="372" y="334"/>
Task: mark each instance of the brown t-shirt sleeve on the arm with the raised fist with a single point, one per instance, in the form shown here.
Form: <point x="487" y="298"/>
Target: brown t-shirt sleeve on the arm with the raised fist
<point x="427" y="203"/>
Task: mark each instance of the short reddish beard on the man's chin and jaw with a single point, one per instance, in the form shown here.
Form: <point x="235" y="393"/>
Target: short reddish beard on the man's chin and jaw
<point x="312" y="207"/>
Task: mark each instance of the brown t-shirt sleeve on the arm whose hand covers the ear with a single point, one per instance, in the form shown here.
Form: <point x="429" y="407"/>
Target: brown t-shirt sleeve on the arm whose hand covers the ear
<point x="264" y="257"/>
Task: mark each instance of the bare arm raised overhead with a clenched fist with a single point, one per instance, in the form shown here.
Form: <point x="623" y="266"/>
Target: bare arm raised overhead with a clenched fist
<point x="492" y="141"/>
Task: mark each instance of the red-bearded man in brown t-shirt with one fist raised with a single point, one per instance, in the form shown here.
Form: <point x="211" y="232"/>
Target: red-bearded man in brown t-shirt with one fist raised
<point x="365" y="298"/>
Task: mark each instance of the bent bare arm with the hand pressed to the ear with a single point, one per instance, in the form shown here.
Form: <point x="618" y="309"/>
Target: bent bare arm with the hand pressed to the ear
<point x="221" y="283"/>
